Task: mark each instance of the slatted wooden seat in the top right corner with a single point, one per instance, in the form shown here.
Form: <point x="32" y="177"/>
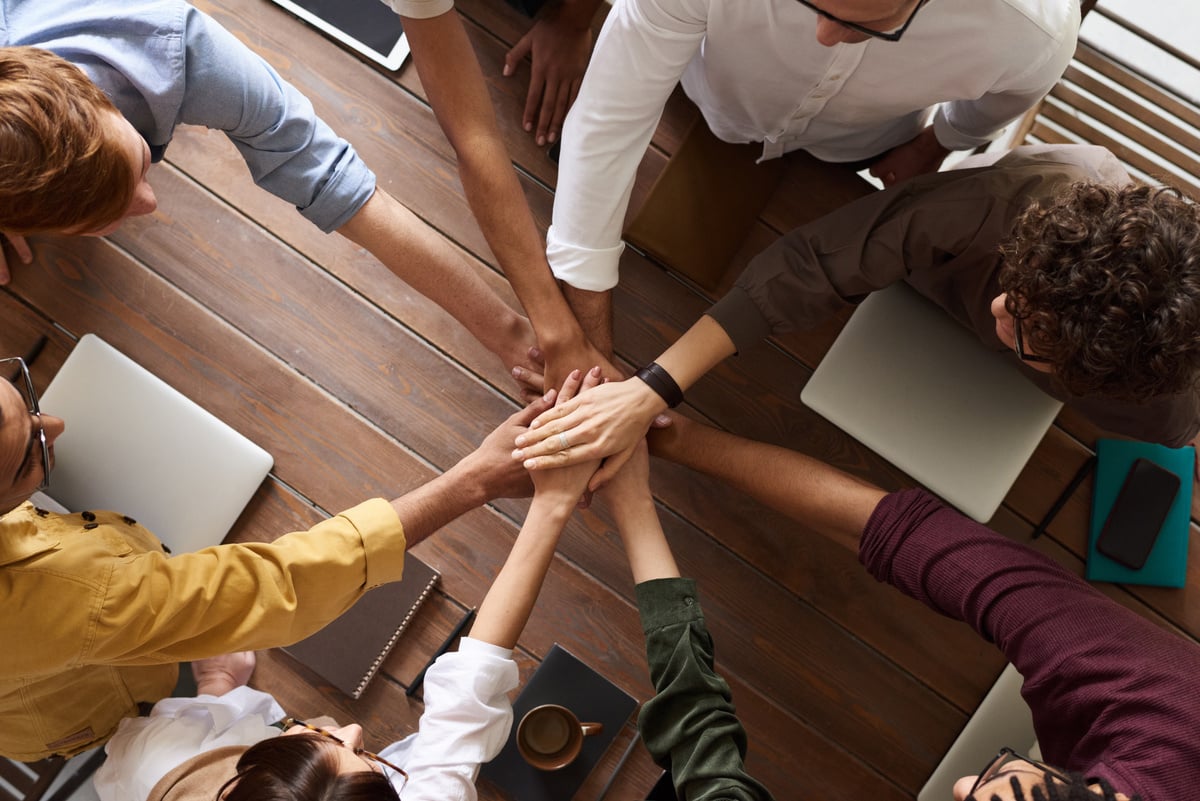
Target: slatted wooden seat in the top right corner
<point x="1105" y="99"/>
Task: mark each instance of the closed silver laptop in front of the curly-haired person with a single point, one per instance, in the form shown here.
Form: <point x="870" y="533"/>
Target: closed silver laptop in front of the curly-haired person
<point x="923" y="393"/>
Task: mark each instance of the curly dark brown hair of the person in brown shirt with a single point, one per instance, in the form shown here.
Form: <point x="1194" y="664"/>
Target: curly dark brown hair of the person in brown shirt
<point x="1106" y="284"/>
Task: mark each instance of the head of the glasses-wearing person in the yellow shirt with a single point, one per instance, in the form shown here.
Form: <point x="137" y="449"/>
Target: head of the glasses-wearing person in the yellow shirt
<point x="25" y="462"/>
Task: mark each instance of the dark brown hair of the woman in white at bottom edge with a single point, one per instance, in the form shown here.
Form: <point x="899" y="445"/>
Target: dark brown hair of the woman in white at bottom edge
<point x="301" y="768"/>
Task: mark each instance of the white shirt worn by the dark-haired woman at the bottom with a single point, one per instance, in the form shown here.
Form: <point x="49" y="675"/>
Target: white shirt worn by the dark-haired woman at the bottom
<point x="466" y="722"/>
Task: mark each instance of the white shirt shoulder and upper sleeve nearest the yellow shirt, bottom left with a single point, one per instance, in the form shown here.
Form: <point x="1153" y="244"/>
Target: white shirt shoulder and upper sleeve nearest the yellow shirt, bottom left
<point x="147" y="749"/>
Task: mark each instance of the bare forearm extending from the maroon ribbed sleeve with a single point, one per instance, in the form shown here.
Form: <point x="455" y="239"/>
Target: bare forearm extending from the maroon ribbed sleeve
<point x="796" y="485"/>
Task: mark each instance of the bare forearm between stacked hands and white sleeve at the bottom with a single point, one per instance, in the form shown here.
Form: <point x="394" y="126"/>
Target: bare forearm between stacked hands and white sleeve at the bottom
<point x="512" y="598"/>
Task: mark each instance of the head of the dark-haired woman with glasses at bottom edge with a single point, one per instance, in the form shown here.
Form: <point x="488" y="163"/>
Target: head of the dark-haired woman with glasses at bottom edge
<point x="310" y="764"/>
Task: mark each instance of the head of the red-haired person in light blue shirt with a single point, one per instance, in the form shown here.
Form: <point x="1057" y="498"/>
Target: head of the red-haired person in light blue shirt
<point x="70" y="164"/>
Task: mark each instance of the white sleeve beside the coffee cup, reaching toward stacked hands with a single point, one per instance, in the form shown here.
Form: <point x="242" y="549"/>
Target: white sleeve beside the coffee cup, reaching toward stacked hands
<point x="466" y="722"/>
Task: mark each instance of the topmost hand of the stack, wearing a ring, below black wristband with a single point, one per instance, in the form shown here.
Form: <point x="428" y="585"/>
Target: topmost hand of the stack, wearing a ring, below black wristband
<point x="608" y="421"/>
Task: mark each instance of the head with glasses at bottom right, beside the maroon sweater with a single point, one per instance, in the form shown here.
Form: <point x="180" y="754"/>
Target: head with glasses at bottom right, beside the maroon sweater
<point x="1012" y="778"/>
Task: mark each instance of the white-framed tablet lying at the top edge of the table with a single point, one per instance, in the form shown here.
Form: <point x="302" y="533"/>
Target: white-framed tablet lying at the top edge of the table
<point x="367" y="27"/>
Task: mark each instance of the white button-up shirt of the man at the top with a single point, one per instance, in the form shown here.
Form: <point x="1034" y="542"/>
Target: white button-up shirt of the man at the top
<point x="758" y="74"/>
